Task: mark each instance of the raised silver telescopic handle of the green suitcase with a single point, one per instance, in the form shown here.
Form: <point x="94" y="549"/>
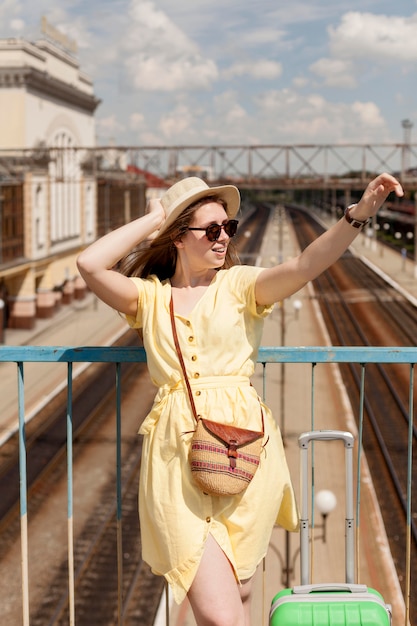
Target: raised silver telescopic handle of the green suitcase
<point x="304" y="442"/>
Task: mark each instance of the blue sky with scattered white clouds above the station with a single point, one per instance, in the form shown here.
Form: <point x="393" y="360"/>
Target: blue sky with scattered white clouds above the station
<point x="228" y="72"/>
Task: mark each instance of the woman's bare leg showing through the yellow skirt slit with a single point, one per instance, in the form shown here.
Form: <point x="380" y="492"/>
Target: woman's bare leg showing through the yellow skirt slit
<point x="215" y="596"/>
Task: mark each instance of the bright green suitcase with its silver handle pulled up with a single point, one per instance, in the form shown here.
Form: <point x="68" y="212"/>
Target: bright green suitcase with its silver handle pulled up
<point x="342" y="604"/>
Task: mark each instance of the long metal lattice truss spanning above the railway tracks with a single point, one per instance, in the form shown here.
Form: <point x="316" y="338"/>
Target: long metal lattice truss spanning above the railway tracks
<point x="270" y="166"/>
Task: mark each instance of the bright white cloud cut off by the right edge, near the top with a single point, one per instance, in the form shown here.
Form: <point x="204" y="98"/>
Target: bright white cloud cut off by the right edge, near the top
<point x="379" y="38"/>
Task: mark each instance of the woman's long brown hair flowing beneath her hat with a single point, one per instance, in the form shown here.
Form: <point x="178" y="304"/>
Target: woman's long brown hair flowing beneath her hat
<point x="159" y="257"/>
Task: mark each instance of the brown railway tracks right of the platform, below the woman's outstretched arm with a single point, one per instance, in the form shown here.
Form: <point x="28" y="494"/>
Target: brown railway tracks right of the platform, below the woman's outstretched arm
<point x="361" y="309"/>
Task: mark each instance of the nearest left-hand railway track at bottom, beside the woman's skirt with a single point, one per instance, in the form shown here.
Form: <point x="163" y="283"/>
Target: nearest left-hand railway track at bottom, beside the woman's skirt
<point x="97" y="594"/>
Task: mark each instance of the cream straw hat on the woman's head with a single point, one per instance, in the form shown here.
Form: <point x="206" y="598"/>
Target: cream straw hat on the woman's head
<point x="190" y="190"/>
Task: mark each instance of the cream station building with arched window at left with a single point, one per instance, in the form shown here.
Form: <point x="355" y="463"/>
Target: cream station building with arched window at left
<point x="56" y="196"/>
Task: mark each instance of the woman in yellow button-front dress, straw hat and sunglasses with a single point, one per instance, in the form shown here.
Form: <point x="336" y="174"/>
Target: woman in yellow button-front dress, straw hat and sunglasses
<point x="207" y="547"/>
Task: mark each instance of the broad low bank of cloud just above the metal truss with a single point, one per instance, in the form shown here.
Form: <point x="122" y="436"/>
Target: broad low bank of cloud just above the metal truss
<point x="275" y="116"/>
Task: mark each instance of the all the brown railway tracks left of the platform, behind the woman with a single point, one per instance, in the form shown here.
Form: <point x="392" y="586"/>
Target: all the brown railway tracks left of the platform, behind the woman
<point x="98" y="598"/>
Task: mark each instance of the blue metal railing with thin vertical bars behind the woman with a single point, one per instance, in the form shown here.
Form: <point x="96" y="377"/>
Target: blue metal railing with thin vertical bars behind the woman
<point x="23" y="355"/>
